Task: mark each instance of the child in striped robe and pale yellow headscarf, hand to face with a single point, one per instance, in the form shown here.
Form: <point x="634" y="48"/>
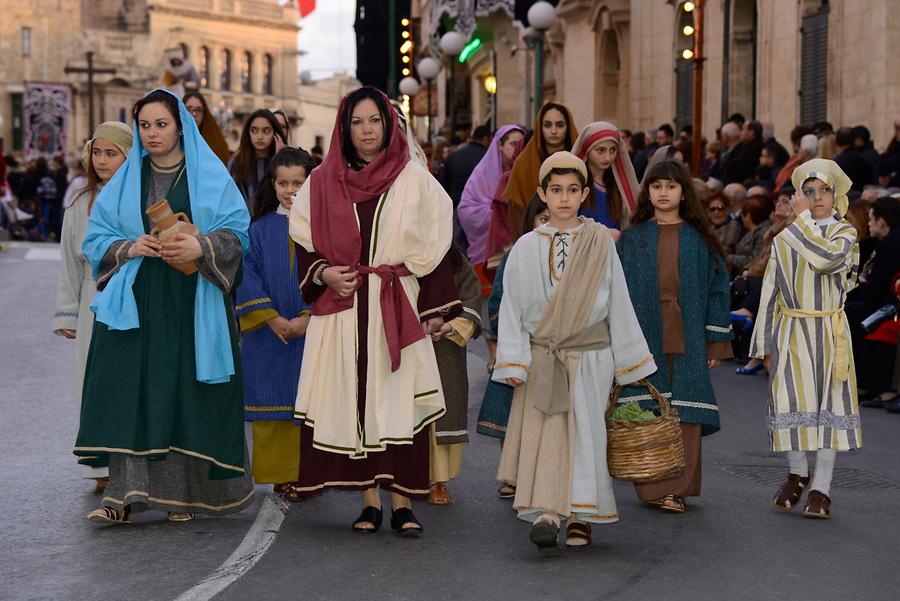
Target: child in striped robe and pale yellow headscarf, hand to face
<point x="802" y="333"/>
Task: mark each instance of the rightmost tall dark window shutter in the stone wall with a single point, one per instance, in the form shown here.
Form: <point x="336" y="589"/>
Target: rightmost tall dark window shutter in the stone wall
<point x="814" y="68"/>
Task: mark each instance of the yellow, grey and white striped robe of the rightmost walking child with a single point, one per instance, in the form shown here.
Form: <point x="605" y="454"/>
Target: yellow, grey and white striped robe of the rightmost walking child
<point x="800" y="324"/>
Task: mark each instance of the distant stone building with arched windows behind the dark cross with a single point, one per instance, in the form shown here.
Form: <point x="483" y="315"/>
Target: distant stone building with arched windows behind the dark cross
<point x="244" y="50"/>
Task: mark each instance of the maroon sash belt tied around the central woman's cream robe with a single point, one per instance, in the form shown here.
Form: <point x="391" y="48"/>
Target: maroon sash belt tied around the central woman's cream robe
<point x="401" y="323"/>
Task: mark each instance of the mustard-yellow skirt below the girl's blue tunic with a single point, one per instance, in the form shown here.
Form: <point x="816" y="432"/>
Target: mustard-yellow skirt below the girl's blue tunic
<point x="276" y="452"/>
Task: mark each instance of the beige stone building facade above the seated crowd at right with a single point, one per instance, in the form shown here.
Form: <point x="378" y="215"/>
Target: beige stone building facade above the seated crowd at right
<point x="783" y="61"/>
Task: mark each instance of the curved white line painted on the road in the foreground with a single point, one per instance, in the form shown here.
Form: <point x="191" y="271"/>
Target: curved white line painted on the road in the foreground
<point x="255" y="544"/>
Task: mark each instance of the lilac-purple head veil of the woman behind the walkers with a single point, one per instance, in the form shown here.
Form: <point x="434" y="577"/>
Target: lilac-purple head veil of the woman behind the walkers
<point x="478" y="195"/>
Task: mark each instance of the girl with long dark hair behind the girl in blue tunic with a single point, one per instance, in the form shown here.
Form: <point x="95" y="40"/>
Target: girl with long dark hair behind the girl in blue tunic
<point x="261" y="138"/>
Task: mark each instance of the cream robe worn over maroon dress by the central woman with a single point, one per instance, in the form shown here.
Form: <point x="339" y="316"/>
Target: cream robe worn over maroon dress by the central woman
<point x="413" y="226"/>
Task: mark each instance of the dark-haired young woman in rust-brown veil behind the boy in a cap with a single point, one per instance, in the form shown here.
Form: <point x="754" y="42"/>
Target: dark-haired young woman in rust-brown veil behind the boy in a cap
<point x="554" y="130"/>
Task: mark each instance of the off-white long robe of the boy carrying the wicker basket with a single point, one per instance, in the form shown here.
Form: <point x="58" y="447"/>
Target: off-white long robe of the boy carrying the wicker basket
<point x="533" y="272"/>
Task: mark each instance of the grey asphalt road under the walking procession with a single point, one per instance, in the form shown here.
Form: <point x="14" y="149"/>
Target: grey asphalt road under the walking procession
<point x="730" y="545"/>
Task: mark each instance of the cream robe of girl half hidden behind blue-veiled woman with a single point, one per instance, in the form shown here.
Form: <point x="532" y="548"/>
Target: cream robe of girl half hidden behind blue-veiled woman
<point x="74" y="295"/>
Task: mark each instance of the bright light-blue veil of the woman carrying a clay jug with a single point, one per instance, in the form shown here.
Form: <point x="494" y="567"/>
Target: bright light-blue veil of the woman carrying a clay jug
<point x="216" y="203"/>
